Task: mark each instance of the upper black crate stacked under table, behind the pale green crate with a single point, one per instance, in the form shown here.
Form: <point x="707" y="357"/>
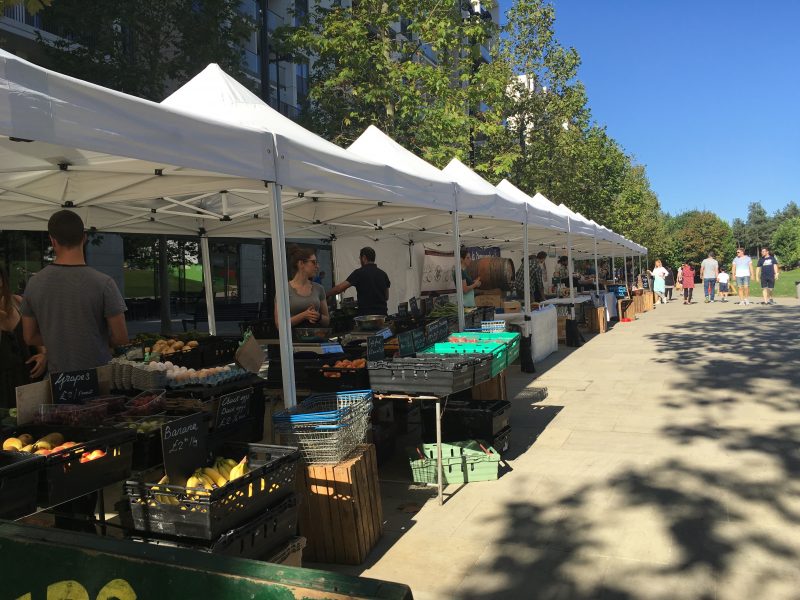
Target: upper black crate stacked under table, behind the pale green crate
<point x="463" y="420"/>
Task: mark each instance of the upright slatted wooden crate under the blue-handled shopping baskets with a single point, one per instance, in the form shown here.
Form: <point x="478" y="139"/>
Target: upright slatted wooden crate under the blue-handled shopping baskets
<point x="341" y="514"/>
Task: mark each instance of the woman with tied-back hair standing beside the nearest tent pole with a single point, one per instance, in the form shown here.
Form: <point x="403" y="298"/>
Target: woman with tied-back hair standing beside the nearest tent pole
<point x="307" y="305"/>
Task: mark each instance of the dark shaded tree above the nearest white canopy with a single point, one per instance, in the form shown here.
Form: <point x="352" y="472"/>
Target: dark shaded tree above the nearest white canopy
<point x="143" y="47"/>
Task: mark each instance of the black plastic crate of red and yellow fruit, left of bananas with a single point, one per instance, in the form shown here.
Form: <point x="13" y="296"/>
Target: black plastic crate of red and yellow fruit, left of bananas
<point x="64" y="477"/>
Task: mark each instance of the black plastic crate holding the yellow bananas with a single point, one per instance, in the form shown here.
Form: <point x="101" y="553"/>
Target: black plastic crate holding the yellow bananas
<point x="207" y="517"/>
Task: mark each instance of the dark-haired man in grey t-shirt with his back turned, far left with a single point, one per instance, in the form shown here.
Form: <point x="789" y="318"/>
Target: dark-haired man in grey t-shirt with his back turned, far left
<point x="77" y="313"/>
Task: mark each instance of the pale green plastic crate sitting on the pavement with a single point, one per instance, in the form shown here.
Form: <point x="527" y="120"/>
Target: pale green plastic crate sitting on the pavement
<point x="462" y="462"/>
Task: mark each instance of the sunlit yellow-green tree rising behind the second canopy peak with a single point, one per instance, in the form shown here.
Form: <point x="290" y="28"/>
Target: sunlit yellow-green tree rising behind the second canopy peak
<point x="423" y="85"/>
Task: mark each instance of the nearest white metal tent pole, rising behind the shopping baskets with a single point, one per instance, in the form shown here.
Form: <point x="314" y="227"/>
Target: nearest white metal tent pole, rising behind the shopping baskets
<point x="281" y="274"/>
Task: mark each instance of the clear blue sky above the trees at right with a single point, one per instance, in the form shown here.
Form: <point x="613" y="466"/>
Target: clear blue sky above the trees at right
<point x="705" y="94"/>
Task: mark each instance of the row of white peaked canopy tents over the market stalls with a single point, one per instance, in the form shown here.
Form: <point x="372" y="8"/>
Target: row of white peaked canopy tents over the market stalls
<point x="214" y="160"/>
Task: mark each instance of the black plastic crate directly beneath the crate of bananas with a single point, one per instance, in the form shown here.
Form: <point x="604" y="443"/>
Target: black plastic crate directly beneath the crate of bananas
<point x="256" y="539"/>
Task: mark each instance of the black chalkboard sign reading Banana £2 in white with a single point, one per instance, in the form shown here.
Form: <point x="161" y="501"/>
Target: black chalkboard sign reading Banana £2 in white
<point x="184" y="445"/>
